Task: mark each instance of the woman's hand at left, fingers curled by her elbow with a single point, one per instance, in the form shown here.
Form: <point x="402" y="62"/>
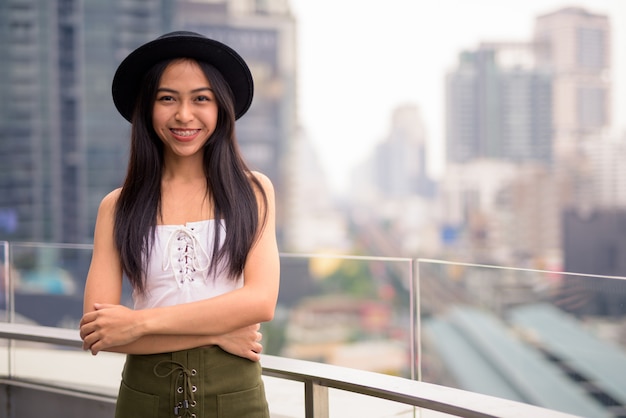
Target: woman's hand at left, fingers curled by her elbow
<point x="109" y="326"/>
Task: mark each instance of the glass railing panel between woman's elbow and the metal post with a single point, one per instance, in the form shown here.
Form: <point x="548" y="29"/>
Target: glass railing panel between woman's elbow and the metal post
<point x="347" y="311"/>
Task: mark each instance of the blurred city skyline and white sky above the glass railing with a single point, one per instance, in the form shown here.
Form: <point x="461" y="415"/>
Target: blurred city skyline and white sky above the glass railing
<point x="484" y="132"/>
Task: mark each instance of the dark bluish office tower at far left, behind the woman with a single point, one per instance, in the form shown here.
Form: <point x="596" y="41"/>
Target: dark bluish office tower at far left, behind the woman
<point x="62" y="145"/>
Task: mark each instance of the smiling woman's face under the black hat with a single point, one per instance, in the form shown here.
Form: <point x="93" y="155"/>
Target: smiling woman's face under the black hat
<point x="185" y="110"/>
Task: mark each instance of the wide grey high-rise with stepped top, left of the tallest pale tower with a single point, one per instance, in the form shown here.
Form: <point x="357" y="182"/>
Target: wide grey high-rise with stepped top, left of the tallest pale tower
<point x="498" y="106"/>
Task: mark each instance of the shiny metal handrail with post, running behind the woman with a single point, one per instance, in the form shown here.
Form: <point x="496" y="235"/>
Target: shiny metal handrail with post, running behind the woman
<point x="318" y="378"/>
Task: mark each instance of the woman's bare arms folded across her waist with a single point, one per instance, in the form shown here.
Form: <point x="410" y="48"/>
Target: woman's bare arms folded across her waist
<point x="115" y="328"/>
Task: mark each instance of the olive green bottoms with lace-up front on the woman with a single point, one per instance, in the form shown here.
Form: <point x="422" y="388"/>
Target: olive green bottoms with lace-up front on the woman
<point x="197" y="383"/>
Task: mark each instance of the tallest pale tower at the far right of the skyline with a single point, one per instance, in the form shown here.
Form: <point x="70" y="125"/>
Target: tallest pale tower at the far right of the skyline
<point x="574" y="45"/>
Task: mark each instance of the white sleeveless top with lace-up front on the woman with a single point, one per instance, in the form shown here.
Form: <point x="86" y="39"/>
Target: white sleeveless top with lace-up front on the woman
<point x="178" y="268"/>
